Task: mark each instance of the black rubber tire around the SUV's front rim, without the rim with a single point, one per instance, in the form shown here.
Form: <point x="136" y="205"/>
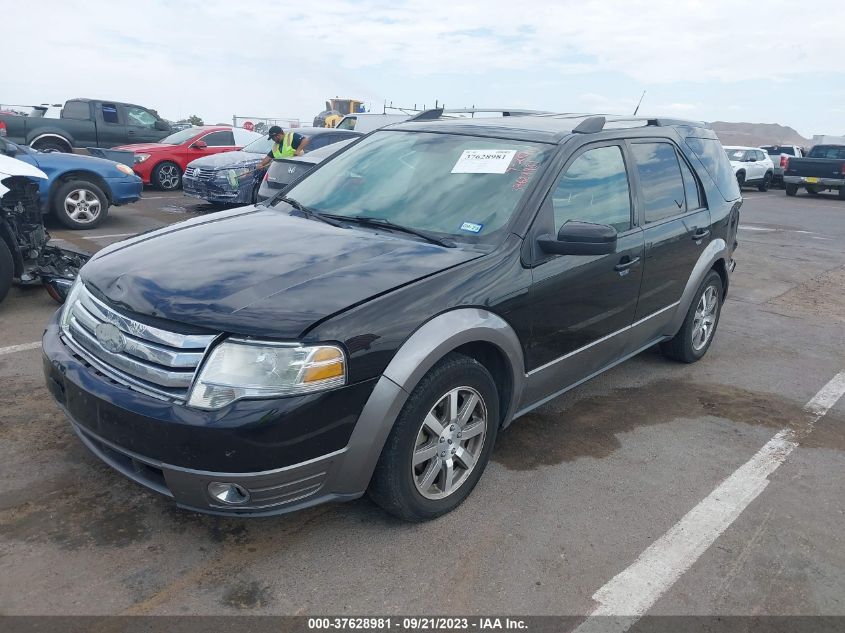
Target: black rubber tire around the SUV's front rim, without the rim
<point x="393" y="485"/>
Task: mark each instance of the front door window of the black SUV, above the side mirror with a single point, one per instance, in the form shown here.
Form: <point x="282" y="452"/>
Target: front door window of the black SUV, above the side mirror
<point x="594" y="189"/>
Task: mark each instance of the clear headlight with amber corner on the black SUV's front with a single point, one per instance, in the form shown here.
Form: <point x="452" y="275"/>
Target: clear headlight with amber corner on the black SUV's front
<point x="240" y="368"/>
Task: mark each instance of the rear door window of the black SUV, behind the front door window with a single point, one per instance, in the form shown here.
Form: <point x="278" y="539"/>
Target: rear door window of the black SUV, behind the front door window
<point x="660" y="180"/>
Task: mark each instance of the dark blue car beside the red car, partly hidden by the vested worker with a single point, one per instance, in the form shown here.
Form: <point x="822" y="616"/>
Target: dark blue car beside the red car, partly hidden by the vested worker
<point x="233" y="177"/>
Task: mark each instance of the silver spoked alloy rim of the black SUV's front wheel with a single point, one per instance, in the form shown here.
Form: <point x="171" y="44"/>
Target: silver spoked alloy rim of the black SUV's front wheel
<point x="449" y="443"/>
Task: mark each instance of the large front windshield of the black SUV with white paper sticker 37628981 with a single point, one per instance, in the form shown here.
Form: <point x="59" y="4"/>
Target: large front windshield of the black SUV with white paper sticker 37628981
<point x="459" y="186"/>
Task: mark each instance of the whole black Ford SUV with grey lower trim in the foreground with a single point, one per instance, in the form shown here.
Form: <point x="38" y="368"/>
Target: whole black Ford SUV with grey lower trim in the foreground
<point x="375" y="327"/>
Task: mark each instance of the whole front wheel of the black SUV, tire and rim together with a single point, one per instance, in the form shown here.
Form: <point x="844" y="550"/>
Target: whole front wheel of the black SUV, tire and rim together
<point x="420" y="492"/>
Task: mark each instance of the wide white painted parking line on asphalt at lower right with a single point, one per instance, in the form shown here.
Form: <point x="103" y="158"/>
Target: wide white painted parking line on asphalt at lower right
<point x="631" y="593"/>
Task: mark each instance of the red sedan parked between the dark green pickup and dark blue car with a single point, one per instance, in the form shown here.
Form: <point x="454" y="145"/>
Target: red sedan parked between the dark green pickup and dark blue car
<point x="161" y="164"/>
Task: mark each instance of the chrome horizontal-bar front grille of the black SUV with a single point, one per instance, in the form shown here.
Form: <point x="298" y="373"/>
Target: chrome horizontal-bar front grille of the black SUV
<point x="154" y="361"/>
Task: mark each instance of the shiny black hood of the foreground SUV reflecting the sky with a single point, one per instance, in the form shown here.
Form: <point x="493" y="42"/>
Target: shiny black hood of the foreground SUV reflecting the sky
<point x="259" y="271"/>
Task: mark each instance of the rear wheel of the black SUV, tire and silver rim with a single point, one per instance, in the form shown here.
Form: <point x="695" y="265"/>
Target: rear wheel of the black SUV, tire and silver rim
<point x="690" y="344"/>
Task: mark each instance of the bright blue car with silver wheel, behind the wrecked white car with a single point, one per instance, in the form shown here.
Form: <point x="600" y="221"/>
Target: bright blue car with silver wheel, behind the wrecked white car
<point x="79" y="189"/>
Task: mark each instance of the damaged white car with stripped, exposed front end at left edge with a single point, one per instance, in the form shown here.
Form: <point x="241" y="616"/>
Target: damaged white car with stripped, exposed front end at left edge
<point x="25" y="253"/>
